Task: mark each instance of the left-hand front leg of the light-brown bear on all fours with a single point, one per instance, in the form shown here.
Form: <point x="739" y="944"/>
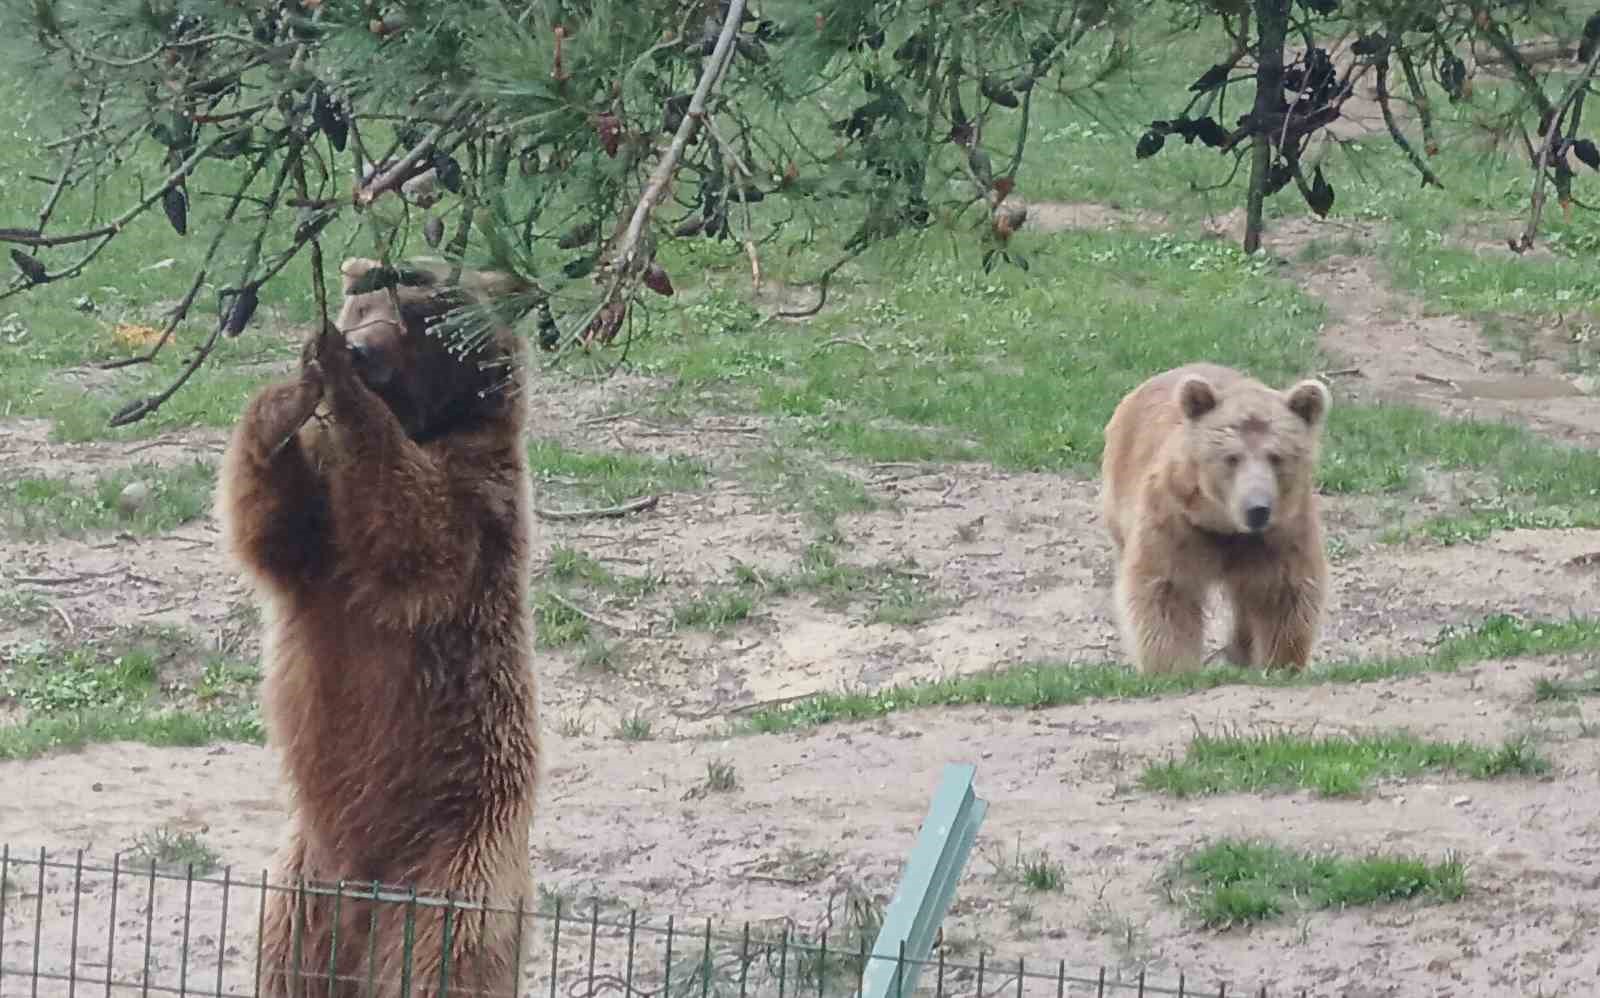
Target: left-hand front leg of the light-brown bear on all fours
<point x="1162" y="618"/>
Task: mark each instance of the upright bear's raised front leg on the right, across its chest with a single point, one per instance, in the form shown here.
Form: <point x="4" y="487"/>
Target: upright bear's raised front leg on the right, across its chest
<point x="396" y="513"/>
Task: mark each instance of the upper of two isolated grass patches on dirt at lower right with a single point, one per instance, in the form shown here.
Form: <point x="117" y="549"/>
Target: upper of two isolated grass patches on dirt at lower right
<point x="1329" y="767"/>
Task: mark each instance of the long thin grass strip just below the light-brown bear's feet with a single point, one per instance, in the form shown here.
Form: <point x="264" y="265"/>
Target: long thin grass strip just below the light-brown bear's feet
<point x="1054" y="685"/>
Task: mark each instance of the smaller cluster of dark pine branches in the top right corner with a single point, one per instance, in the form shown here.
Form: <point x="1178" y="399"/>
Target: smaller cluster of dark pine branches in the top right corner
<point x="1294" y="98"/>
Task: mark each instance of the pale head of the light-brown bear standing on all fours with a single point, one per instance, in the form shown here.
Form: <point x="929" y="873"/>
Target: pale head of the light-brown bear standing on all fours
<point x="1254" y="449"/>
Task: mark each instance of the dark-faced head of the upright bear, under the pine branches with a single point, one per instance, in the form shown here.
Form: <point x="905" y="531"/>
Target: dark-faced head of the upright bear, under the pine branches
<point x="434" y="378"/>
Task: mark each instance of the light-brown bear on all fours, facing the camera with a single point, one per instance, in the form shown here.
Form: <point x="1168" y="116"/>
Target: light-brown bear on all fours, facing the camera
<point x="1209" y="482"/>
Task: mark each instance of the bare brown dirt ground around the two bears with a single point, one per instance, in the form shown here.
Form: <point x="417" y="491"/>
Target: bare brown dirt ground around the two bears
<point x="820" y="816"/>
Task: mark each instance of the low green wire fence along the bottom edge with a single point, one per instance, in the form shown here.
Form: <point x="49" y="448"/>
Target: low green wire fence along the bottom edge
<point x="79" y="930"/>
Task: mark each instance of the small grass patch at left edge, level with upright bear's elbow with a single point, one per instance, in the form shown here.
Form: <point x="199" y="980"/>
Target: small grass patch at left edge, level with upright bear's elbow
<point x="180" y="495"/>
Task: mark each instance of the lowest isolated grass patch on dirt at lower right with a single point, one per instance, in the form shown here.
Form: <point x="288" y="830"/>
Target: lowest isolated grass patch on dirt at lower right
<point x="1234" y="882"/>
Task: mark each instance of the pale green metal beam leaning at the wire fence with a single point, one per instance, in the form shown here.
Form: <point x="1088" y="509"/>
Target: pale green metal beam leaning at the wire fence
<point x="927" y="887"/>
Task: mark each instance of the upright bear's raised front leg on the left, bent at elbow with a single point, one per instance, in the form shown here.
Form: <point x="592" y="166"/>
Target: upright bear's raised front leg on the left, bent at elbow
<point x="271" y="501"/>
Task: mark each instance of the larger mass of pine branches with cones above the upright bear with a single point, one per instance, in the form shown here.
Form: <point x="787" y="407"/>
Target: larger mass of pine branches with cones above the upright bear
<point x="561" y="140"/>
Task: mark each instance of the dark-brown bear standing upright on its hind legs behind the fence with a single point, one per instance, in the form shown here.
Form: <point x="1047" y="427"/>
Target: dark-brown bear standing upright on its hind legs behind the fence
<point x="380" y="505"/>
